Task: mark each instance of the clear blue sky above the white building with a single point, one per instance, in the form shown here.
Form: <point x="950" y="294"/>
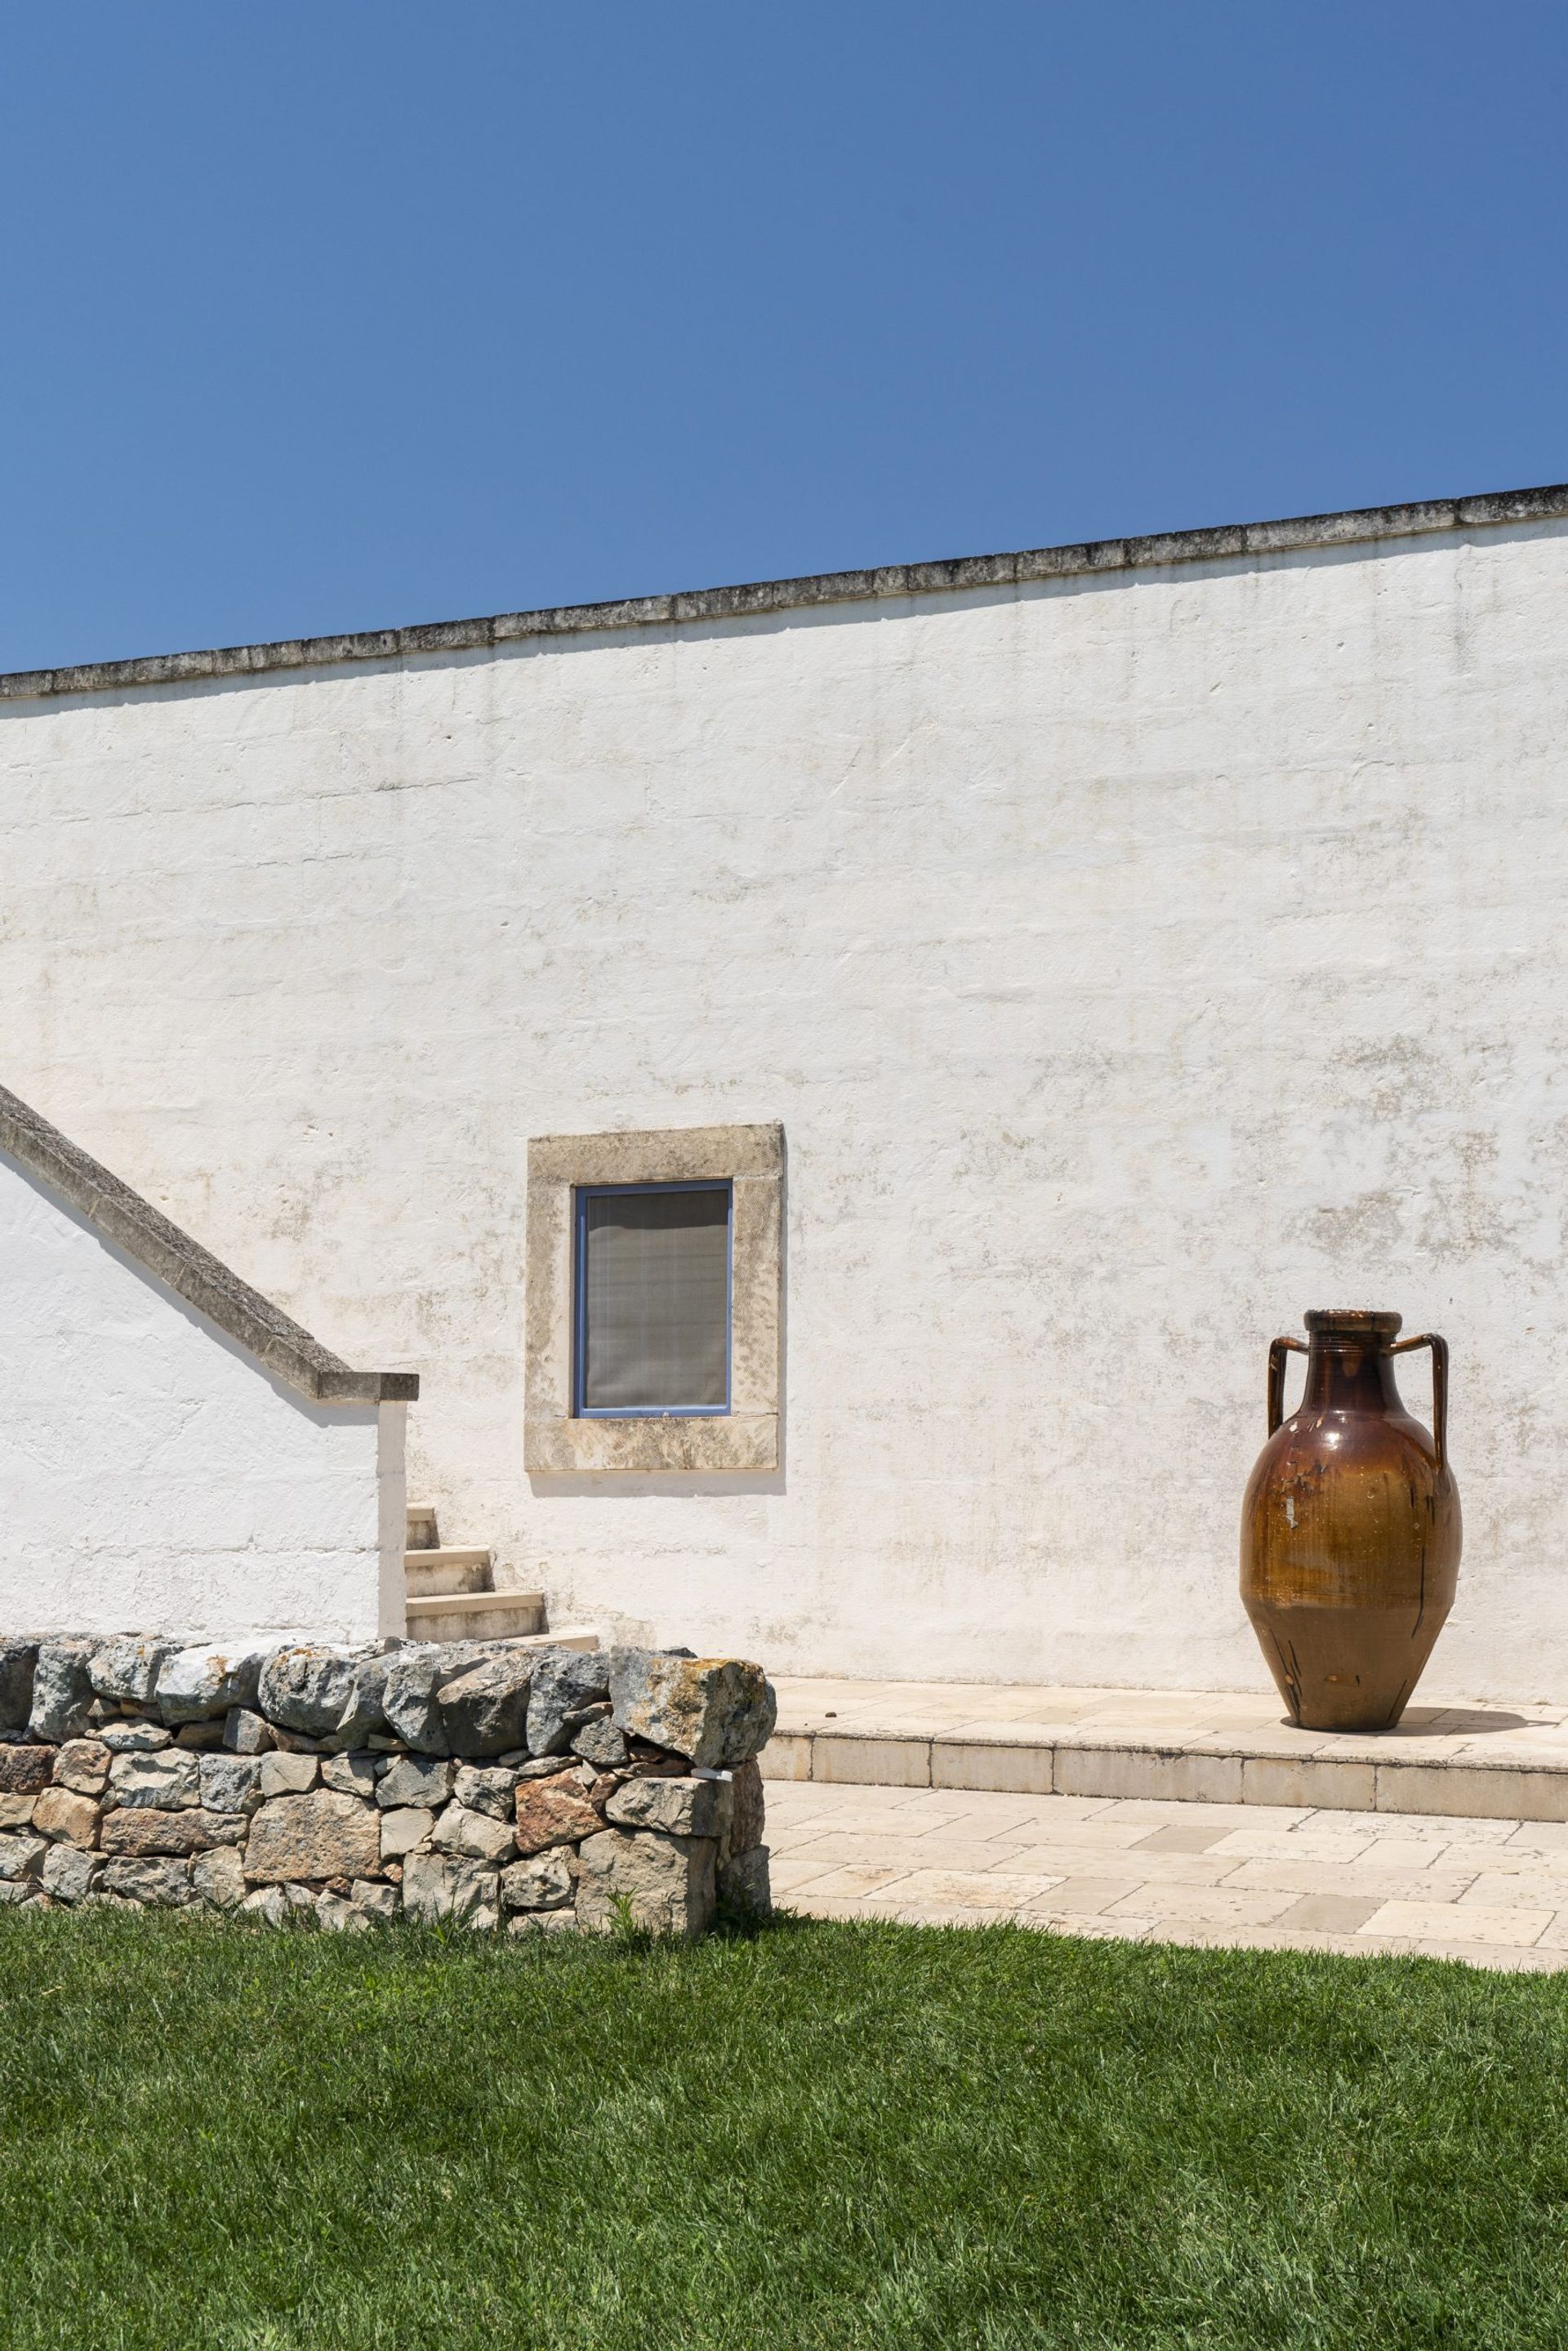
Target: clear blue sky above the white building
<point x="349" y="314"/>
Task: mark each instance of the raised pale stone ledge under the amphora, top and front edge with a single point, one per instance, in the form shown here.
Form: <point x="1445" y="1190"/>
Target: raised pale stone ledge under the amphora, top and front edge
<point x="1219" y="1748"/>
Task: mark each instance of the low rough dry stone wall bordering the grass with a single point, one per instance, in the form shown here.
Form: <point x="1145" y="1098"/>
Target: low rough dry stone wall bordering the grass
<point x="537" y="1790"/>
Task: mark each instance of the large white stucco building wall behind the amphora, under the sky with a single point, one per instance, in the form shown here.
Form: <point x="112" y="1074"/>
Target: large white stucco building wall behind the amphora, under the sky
<point x="1132" y="960"/>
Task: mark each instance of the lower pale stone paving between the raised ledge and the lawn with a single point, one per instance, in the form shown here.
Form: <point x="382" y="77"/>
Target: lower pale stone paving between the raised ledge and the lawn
<point x="1487" y="1891"/>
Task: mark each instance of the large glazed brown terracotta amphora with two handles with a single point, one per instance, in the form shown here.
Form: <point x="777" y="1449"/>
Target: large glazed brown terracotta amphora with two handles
<point x="1351" y="1529"/>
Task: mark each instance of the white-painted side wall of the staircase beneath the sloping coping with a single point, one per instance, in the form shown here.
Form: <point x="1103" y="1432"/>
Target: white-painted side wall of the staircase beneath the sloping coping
<point x="154" y="1478"/>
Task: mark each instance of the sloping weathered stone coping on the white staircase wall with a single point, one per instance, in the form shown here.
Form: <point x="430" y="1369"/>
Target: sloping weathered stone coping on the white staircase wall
<point x="192" y="1271"/>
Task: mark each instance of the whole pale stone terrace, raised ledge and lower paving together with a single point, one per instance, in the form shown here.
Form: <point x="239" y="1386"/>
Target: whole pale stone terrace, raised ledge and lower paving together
<point x="1167" y="1816"/>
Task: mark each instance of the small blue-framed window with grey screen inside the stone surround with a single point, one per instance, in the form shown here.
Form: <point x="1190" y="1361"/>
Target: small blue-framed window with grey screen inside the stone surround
<point x="652" y="1301"/>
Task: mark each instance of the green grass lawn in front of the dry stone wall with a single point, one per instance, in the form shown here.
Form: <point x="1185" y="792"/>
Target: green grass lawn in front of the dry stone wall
<point x="826" y="2136"/>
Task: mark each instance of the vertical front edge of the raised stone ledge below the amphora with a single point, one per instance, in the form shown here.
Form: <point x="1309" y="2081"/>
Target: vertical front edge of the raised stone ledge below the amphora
<point x="1209" y="1771"/>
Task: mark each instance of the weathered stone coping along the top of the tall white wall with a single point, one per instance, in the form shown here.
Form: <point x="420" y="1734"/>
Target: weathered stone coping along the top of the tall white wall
<point x="1101" y="556"/>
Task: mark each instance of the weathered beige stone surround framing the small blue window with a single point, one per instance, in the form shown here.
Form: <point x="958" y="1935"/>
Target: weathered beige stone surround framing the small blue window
<point x="744" y="1438"/>
